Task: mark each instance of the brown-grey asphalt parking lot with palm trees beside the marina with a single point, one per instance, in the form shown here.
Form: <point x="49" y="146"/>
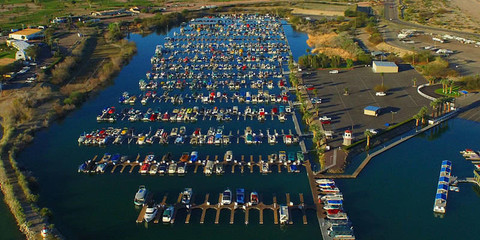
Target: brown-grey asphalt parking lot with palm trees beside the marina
<point x="346" y="111"/>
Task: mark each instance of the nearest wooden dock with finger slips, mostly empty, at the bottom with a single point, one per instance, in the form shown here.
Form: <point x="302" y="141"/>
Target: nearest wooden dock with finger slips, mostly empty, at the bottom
<point x="246" y="208"/>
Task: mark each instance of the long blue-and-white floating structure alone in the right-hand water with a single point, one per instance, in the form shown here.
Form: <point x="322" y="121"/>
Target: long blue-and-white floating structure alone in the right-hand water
<point x="440" y="203"/>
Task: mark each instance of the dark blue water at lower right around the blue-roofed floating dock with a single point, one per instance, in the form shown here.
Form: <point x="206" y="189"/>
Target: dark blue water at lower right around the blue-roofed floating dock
<point x="393" y="197"/>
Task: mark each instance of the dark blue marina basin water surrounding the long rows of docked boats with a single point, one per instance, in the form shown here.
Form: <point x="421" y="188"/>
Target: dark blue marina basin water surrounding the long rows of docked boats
<point x="101" y="206"/>
